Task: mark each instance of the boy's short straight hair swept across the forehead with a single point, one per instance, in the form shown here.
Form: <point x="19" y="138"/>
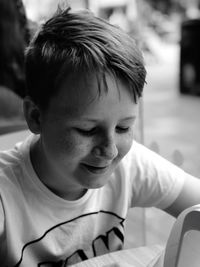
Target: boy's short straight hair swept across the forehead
<point x="79" y="41"/>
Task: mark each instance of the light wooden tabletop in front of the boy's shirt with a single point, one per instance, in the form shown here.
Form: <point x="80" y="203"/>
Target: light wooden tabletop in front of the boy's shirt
<point x="151" y="256"/>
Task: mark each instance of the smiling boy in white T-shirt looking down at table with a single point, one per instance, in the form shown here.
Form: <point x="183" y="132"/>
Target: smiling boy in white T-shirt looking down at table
<point x="66" y="190"/>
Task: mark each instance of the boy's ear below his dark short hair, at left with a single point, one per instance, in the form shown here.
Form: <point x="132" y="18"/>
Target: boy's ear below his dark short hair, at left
<point x="32" y="115"/>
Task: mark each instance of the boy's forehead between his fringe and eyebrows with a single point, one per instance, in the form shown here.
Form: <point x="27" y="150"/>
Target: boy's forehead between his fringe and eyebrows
<point x="79" y="91"/>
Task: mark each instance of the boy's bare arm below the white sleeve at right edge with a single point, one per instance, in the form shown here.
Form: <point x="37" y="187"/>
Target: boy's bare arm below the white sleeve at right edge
<point x="189" y="196"/>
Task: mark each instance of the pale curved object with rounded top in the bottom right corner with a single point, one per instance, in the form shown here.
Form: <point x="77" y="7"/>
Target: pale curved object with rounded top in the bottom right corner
<point x="183" y="246"/>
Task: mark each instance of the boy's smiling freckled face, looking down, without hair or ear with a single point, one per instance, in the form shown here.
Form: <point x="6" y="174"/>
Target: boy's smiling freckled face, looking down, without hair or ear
<point x="84" y="135"/>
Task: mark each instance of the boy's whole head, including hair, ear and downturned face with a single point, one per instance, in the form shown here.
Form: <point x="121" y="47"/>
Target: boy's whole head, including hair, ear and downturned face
<point x="83" y="77"/>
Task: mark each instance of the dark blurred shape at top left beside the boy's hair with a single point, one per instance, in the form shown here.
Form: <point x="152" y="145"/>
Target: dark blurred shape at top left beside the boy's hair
<point x="14" y="37"/>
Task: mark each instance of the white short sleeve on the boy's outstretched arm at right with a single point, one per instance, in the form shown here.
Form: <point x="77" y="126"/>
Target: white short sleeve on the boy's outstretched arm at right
<point x="155" y="182"/>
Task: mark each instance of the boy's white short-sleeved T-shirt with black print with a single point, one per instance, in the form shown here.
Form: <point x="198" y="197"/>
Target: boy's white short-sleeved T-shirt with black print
<point x="38" y="228"/>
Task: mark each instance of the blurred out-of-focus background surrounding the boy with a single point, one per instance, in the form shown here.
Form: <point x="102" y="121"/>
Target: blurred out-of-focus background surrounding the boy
<point x="168" y="32"/>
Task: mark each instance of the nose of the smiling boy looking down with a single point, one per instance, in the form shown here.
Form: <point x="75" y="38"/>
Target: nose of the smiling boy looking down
<point x="106" y="149"/>
